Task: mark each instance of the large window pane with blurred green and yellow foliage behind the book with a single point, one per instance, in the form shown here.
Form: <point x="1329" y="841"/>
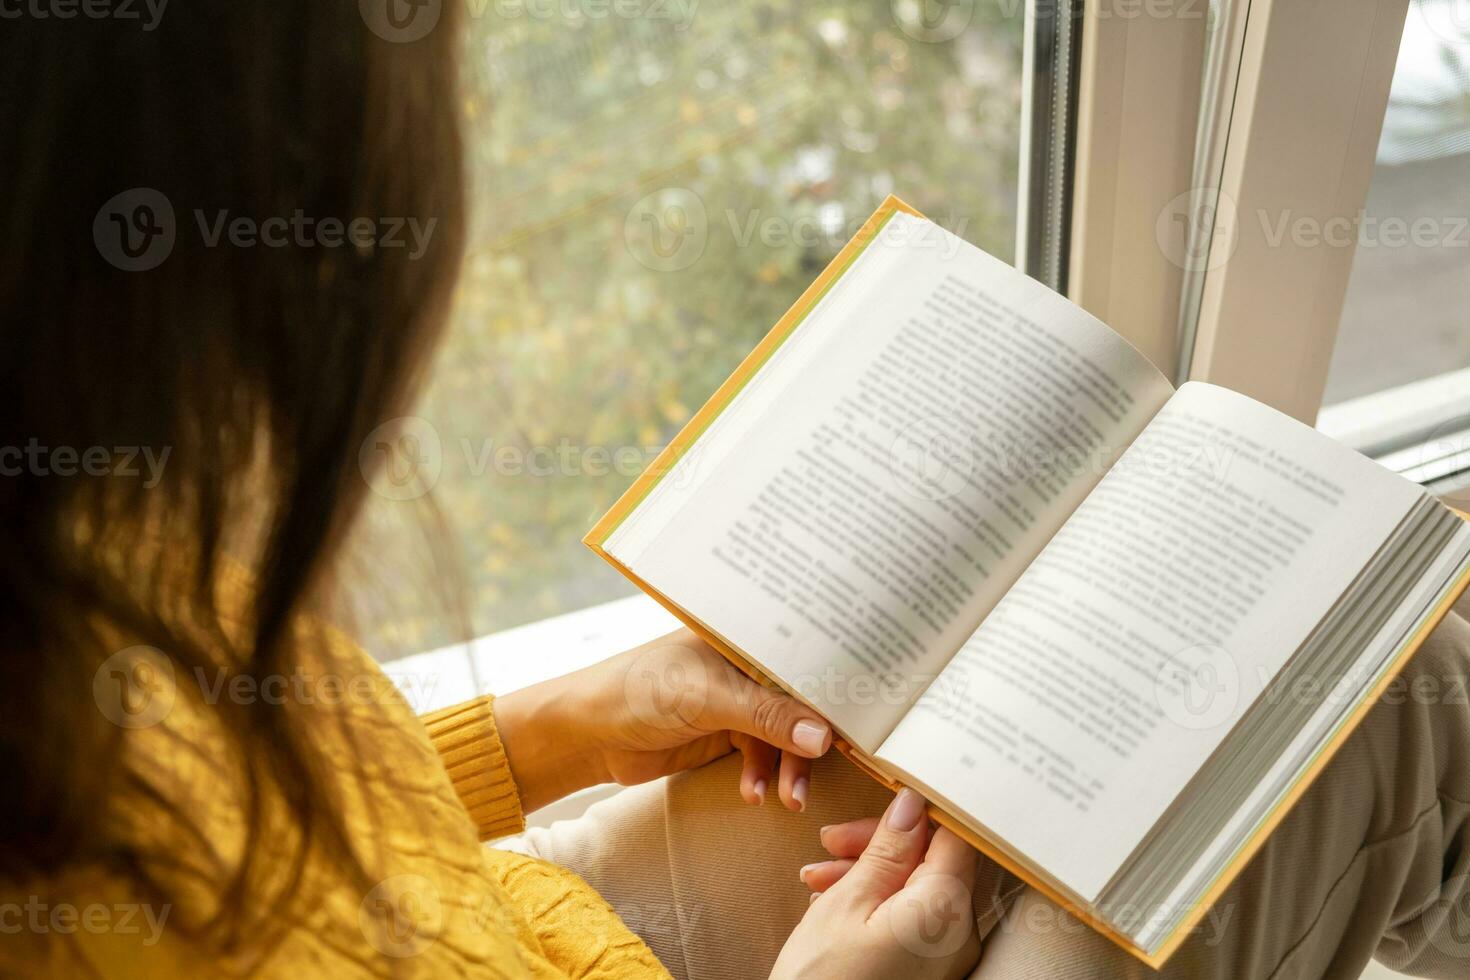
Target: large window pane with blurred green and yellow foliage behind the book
<point x="650" y="195"/>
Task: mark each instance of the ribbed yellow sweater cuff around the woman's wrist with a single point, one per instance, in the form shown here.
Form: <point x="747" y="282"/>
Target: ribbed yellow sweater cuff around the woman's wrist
<point x="470" y="747"/>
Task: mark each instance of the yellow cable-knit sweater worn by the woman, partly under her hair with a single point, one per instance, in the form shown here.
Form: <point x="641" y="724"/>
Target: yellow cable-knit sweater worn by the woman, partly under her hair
<point x="420" y="797"/>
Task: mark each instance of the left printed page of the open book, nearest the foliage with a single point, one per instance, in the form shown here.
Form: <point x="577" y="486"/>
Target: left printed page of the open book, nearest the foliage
<point x="880" y="486"/>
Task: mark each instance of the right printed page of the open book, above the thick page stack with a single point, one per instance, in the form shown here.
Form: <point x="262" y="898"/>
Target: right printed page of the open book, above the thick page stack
<point x="1146" y="630"/>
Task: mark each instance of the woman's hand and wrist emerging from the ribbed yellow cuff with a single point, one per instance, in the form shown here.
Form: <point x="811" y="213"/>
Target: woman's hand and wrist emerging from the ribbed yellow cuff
<point x="668" y="706"/>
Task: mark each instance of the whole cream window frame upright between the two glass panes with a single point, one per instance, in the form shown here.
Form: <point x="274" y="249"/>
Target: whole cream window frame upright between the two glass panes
<point x="1266" y="108"/>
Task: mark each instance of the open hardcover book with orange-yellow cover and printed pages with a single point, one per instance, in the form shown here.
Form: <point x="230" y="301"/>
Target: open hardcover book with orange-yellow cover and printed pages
<point x="1112" y="630"/>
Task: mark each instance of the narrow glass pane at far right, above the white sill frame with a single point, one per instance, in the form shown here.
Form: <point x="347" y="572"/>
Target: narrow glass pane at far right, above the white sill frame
<point x="1408" y="314"/>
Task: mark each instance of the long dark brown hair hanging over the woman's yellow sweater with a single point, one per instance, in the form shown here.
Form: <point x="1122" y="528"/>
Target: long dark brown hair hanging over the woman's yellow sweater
<point x="124" y="142"/>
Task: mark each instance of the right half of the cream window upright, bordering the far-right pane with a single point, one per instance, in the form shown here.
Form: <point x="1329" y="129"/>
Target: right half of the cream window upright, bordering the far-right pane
<point x="1303" y="137"/>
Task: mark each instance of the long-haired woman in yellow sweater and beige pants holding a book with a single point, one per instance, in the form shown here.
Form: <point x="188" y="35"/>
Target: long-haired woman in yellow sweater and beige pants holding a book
<point x="209" y="781"/>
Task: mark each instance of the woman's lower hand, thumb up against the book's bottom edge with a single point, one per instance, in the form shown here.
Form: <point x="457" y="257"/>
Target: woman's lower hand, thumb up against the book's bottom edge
<point x="894" y="903"/>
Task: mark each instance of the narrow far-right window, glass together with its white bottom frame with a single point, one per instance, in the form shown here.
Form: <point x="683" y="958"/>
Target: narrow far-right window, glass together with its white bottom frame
<point x="1399" y="387"/>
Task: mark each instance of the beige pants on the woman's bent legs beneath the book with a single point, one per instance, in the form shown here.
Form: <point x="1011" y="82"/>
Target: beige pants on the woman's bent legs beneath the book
<point x="1374" y="862"/>
